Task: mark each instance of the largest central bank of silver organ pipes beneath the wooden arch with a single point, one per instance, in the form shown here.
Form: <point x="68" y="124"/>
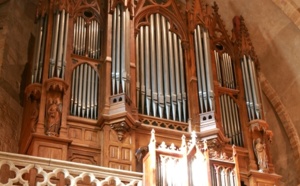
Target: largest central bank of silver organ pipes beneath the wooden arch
<point x="161" y="72"/>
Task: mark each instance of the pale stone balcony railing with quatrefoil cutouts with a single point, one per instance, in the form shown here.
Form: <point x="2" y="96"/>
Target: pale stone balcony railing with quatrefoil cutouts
<point x="18" y="169"/>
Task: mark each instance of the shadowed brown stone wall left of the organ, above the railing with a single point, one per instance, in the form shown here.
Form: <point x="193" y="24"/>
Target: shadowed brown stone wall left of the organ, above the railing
<point x="16" y="28"/>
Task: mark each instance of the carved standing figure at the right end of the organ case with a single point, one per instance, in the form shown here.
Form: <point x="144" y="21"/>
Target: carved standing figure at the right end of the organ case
<point x="260" y="152"/>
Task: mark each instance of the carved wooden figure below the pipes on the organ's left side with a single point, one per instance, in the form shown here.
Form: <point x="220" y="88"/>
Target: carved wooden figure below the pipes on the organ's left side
<point x="53" y="119"/>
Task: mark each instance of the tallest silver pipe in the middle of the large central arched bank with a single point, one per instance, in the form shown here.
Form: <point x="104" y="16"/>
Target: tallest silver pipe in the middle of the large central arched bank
<point x="159" y="66"/>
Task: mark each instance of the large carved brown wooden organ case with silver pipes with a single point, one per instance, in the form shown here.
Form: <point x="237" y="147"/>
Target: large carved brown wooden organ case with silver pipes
<point x="105" y="73"/>
